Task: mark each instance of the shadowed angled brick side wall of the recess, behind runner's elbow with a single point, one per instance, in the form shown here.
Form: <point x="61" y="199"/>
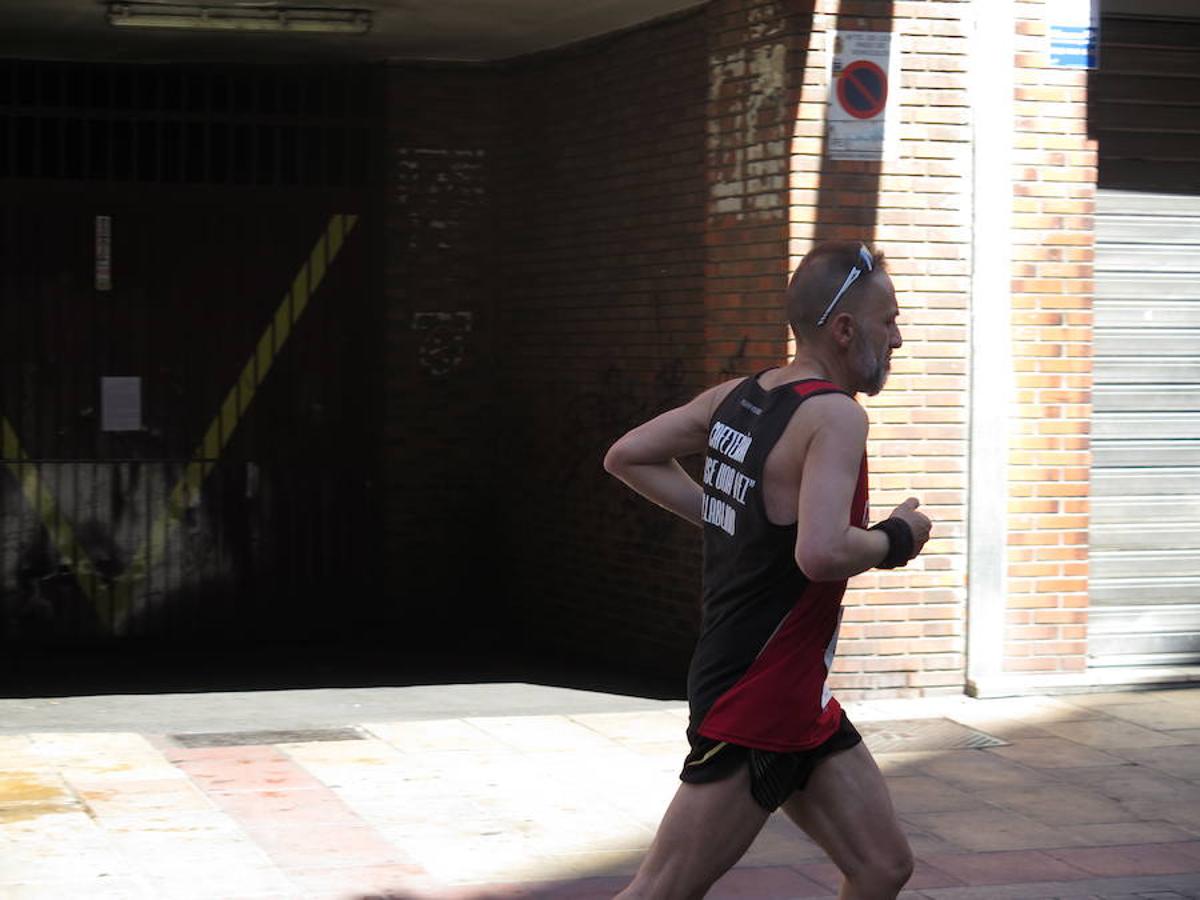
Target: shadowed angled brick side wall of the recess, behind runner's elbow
<point x="602" y="267"/>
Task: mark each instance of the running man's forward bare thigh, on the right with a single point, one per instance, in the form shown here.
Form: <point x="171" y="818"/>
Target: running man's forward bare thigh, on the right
<point x="848" y="811"/>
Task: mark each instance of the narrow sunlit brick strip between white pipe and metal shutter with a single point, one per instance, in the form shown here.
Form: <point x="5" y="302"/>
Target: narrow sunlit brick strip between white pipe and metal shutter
<point x="1051" y="459"/>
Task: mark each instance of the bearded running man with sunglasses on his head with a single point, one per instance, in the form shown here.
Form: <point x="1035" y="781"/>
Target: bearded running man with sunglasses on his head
<point x="784" y="513"/>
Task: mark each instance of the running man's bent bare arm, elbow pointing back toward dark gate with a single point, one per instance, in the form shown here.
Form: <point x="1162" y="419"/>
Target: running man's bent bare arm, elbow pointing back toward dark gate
<point x="646" y="458"/>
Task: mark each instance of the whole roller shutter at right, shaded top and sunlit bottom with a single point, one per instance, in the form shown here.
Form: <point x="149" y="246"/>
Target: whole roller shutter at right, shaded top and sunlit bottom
<point x="1145" y="536"/>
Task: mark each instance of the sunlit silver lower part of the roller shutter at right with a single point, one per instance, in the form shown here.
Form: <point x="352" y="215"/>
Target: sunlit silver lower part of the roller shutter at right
<point x="1145" y="537"/>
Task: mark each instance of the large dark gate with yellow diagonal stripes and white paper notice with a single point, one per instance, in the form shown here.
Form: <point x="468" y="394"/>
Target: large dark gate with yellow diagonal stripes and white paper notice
<point x="185" y="332"/>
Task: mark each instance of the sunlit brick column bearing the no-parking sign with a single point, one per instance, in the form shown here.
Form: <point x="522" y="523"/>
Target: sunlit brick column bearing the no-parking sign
<point x="904" y="632"/>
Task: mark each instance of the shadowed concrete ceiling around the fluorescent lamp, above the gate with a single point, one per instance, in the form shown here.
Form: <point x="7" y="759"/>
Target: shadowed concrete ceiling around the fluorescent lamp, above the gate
<point x="466" y="31"/>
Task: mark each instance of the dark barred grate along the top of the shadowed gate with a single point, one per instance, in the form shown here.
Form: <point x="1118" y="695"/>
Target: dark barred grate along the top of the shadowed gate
<point x="188" y="125"/>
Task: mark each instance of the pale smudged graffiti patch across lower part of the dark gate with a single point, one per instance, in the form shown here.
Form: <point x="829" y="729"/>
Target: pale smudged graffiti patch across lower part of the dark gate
<point x="70" y="539"/>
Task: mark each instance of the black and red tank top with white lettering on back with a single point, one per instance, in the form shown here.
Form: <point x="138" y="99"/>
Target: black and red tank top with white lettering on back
<point x="769" y="634"/>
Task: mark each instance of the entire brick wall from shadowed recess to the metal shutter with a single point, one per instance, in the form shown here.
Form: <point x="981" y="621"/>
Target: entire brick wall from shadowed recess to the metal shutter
<point x="641" y="201"/>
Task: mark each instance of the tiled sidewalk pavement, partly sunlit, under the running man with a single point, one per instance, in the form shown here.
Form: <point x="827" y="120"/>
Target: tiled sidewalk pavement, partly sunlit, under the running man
<point x="514" y="791"/>
